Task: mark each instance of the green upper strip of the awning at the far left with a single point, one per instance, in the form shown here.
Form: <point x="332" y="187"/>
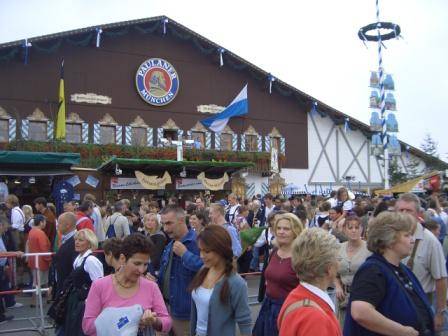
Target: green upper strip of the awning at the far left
<point x="39" y="158"/>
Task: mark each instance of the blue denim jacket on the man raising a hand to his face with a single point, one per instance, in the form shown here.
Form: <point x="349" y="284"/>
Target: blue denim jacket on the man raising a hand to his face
<point x="183" y="269"/>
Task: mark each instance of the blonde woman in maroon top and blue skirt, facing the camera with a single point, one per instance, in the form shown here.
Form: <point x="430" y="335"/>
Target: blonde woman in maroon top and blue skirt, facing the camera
<point x="280" y="277"/>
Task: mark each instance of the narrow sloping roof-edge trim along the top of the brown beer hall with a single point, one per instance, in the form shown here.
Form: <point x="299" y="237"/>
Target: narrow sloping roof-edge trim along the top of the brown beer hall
<point x="304" y="98"/>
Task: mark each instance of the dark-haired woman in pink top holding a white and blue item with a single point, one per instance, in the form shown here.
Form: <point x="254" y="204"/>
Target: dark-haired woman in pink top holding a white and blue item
<point x="125" y="290"/>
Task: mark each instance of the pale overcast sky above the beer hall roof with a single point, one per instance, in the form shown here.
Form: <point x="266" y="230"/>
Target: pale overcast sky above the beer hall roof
<point x="312" y="45"/>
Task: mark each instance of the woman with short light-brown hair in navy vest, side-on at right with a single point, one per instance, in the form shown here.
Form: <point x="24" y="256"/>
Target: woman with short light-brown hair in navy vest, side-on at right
<point x="386" y="298"/>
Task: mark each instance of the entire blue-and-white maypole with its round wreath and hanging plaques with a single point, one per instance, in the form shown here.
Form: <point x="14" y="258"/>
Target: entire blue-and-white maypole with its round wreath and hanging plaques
<point x="381" y="98"/>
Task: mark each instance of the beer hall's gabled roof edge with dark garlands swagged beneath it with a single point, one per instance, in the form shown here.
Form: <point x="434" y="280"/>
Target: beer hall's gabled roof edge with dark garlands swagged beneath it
<point x="156" y="24"/>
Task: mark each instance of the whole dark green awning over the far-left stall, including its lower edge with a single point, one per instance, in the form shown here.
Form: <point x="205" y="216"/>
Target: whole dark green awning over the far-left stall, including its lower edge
<point x="18" y="163"/>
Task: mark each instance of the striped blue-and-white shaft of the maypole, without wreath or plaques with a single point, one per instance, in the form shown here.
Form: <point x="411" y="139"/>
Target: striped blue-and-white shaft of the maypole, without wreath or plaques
<point x="384" y="135"/>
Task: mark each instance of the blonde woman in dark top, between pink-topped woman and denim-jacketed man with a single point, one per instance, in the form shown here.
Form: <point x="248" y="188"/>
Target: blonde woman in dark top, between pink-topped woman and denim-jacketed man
<point x="153" y="230"/>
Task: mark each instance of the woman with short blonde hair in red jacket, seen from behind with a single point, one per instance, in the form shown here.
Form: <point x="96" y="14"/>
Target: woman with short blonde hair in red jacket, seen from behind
<point x="308" y="309"/>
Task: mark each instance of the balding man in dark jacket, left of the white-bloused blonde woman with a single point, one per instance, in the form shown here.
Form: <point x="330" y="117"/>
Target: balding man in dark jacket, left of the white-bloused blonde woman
<point x="66" y="255"/>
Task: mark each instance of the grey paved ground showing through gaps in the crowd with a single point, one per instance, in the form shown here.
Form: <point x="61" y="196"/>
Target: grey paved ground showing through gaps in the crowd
<point x="27" y="320"/>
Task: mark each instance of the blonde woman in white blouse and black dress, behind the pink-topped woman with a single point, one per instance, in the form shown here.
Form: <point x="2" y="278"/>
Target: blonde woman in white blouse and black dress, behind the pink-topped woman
<point x="86" y="269"/>
